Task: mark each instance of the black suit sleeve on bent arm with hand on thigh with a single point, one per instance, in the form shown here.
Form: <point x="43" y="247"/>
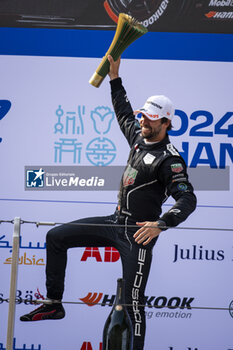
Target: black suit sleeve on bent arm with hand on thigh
<point x="173" y="175"/>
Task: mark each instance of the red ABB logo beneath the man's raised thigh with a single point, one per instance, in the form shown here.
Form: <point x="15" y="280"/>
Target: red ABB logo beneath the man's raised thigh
<point x="110" y="254"/>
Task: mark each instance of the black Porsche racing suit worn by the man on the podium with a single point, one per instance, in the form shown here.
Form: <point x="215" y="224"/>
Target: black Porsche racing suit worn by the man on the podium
<point x="153" y="173"/>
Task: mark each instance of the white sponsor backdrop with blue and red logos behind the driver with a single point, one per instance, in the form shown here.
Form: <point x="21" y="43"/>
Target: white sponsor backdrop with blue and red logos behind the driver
<point x="57" y="119"/>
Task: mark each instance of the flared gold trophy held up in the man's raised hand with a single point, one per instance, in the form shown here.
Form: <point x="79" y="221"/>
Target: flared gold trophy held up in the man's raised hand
<point x="127" y="31"/>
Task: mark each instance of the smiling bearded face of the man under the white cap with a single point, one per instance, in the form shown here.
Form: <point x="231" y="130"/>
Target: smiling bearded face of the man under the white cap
<point x="152" y="130"/>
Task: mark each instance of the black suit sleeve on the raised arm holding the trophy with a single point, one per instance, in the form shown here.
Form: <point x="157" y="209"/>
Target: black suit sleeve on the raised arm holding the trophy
<point x="124" y="112"/>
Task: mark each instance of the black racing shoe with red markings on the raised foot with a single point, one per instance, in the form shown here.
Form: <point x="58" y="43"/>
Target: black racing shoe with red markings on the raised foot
<point x="53" y="311"/>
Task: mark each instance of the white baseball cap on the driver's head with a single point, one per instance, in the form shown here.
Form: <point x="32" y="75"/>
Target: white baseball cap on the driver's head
<point x="157" y="107"/>
